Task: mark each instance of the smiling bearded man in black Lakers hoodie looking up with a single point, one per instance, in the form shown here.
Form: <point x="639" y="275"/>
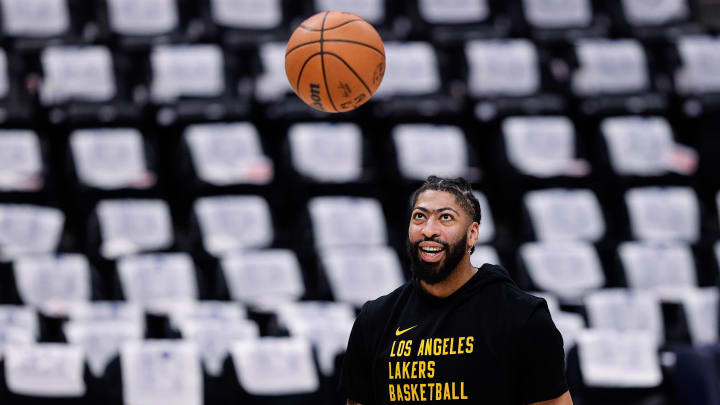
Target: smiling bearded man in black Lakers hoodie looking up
<point x="454" y="333"/>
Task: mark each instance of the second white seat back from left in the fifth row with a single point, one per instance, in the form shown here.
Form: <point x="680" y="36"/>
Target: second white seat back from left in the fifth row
<point x="151" y="278"/>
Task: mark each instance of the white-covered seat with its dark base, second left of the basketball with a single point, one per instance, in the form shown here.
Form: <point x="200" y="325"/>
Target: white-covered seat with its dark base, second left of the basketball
<point x="190" y="82"/>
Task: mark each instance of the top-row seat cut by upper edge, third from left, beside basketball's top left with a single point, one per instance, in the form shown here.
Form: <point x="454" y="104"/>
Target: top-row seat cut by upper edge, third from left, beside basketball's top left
<point x="247" y="22"/>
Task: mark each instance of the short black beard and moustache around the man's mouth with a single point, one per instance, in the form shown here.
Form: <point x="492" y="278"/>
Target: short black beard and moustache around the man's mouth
<point x="433" y="273"/>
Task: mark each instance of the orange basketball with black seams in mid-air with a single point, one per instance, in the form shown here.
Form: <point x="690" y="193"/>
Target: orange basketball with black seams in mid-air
<point x="335" y="61"/>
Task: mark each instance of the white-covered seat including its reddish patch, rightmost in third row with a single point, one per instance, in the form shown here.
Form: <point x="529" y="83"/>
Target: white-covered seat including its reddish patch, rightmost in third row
<point x="645" y="147"/>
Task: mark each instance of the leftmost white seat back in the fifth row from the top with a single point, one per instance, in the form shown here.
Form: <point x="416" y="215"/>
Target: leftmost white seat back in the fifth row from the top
<point x="44" y="281"/>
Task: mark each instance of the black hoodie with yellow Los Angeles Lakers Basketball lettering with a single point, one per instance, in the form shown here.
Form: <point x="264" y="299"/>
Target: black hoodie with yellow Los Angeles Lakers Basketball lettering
<point x="487" y="343"/>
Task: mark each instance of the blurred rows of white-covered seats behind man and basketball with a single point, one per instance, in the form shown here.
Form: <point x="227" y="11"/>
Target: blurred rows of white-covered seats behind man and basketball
<point x="177" y="227"/>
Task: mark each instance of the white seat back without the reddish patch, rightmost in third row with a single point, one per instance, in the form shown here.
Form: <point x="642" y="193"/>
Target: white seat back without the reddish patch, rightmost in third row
<point x="638" y="146"/>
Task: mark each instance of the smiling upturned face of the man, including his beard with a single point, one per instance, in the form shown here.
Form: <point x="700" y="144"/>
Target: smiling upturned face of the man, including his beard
<point x="437" y="236"/>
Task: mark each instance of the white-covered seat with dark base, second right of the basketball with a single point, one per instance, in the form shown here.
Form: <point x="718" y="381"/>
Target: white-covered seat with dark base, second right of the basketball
<point x="505" y="77"/>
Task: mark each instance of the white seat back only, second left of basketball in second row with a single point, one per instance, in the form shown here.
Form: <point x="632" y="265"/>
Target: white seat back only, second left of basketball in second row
<point x="187" y="71"/>
